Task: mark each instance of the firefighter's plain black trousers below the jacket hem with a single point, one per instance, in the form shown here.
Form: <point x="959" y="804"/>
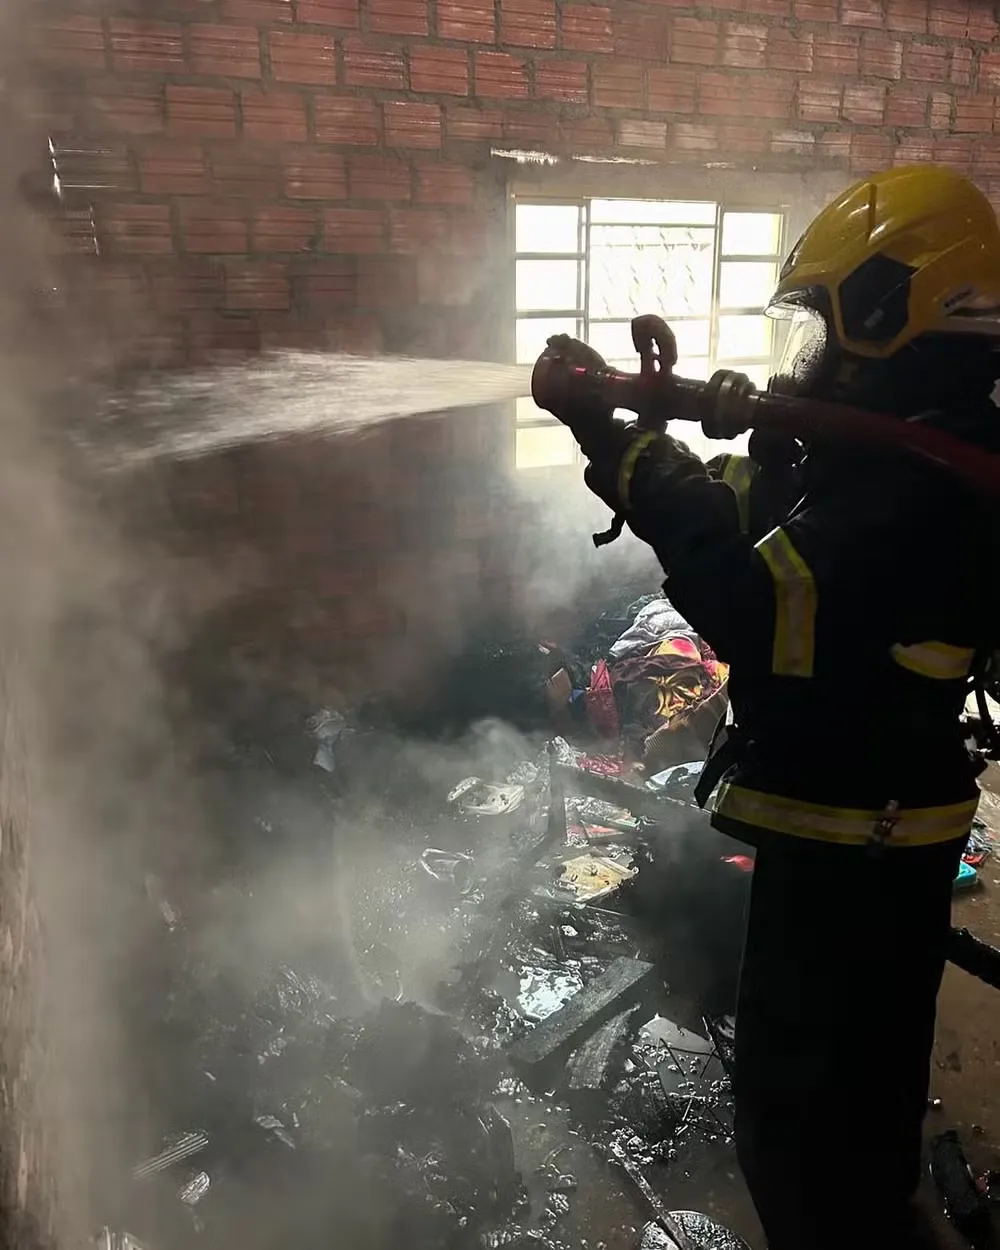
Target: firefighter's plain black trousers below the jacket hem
<point x="842" y="968"/>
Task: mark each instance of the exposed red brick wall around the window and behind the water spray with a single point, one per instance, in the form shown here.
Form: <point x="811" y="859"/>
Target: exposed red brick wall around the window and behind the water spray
<point x="319" y="173"/>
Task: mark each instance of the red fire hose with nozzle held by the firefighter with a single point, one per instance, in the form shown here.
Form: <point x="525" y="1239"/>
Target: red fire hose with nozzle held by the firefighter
<point x="729" y="406"/>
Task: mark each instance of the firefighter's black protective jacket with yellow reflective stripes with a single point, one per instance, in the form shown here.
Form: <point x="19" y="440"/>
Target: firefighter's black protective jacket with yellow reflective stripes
<point x="851" y="621"/>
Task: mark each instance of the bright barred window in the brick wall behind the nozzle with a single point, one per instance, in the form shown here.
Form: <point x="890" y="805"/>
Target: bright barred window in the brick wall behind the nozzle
<point x="587" y="268"/>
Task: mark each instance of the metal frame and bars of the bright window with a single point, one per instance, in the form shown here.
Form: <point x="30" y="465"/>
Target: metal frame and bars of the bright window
<point x="723" y="206"/>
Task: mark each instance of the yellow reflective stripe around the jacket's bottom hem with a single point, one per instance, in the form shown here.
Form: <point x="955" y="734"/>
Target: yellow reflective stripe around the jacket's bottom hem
<point x="918" y="827"/>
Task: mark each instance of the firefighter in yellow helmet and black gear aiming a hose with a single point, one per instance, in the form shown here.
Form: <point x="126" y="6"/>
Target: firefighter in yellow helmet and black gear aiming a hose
<point x="852" y="622"/>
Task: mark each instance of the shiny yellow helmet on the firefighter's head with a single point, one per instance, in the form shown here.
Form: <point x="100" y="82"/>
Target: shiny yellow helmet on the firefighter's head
<point x="901" y="254"/>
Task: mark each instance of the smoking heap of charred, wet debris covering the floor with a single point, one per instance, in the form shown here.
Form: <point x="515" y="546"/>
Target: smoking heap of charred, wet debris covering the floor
<point x="556" y="1076"/>
